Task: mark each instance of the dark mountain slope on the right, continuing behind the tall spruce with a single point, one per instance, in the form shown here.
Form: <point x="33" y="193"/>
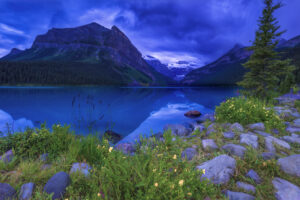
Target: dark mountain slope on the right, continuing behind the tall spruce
<point x="228" y="69"/>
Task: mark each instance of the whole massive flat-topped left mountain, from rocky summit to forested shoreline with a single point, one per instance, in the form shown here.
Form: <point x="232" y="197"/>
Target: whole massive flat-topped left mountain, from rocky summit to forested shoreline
<point x="89" y="55"/>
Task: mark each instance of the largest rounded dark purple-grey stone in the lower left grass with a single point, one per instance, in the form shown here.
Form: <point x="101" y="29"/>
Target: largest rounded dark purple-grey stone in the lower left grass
<point x="57" y="185"/>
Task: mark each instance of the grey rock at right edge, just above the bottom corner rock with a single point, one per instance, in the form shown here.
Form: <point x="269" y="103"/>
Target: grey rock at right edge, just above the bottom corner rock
<point x="290" y="165"/>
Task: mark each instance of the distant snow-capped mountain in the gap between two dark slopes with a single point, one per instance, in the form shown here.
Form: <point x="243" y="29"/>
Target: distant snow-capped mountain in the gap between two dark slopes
<point x="175" y="71"/>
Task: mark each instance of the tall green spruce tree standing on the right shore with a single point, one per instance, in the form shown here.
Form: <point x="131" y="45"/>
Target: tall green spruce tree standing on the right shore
<point x="267" y="75"/>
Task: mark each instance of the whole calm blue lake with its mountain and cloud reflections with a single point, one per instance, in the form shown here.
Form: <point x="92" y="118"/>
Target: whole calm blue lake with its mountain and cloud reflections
<point x="127" y="111"/>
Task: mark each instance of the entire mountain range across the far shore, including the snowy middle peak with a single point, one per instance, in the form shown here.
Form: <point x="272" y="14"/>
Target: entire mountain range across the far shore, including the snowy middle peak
<point x="94" y="55"/>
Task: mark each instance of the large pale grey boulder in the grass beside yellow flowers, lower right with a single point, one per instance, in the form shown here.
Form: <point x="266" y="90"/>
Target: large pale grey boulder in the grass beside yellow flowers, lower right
<point x="219" y="170"/>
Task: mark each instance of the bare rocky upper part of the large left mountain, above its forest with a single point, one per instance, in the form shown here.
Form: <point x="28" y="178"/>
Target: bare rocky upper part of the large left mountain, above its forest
<point x="90" y="43"/>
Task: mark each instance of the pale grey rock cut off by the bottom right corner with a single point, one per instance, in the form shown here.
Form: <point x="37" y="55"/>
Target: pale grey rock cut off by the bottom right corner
<point x="285" y="190"/>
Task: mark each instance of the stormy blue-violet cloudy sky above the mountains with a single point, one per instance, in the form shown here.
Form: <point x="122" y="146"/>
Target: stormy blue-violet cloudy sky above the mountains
<point x="171" y="30"/>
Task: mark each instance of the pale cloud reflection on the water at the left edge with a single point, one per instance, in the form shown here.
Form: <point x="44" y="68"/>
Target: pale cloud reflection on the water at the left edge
<point x="8" y="123"/>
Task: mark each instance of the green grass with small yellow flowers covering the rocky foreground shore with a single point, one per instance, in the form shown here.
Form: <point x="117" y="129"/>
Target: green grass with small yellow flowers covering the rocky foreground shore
<point x="155" y="171"/>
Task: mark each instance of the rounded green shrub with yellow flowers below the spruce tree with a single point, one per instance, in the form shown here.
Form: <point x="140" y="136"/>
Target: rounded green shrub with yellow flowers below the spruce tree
<point x="247" y="111"/>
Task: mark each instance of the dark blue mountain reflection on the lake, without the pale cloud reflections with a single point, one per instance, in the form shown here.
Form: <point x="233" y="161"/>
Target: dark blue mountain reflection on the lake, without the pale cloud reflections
<point x="123" y="109"/>
